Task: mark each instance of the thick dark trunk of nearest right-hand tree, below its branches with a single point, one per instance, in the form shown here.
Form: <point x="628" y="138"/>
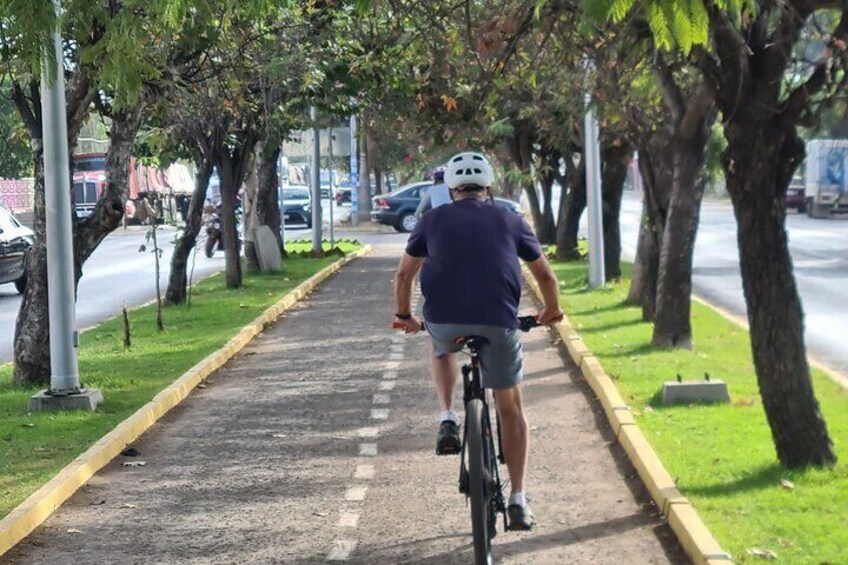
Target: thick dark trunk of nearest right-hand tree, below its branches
<point x="758" y="171"/>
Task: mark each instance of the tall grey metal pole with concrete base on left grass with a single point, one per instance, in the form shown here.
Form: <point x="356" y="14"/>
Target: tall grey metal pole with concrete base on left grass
<point x="64" y="392"/>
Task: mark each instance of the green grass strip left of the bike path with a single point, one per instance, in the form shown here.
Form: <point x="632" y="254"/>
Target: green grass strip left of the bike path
<point x="34" y="447"/>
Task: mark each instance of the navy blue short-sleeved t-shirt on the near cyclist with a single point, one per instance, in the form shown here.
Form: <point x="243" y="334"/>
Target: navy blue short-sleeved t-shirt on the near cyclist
<point x="471" y="273"/>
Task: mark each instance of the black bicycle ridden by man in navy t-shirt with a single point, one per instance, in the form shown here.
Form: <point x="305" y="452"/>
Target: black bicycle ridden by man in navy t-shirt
<point x="479" y="479"/>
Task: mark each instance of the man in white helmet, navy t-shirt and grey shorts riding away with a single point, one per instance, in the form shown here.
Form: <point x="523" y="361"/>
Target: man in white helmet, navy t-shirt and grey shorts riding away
<point x="468" y="253"/>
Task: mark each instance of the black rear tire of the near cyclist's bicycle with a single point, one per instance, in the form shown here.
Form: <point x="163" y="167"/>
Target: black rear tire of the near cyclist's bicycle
<point x="478" y="479"/>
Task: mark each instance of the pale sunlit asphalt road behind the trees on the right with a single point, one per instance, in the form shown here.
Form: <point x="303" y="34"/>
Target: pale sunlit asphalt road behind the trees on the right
<point x="820" y="253"/>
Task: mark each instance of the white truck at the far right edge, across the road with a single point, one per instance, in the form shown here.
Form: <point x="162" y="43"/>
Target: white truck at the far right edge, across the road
<point x="826" y="177"/>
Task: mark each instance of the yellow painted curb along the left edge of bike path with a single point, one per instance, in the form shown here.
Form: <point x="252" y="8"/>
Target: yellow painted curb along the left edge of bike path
<point x="21" y="521"/>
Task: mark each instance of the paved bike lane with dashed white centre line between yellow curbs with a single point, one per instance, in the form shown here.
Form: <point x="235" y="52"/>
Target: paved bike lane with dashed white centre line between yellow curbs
<point x="315" y="444"/>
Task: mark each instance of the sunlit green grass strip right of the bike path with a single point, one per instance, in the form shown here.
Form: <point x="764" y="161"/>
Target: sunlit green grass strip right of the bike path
<point x="721" y="456"/>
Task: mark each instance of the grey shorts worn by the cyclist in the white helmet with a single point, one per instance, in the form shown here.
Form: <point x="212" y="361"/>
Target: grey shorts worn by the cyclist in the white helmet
<point x="500" y="359"/>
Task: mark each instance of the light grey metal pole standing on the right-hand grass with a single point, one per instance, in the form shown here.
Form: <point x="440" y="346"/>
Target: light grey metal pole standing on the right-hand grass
<point x="594" y="201"/>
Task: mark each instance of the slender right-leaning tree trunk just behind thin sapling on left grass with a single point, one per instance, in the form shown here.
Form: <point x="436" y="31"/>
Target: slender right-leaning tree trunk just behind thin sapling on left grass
<point x="178" y="281"/>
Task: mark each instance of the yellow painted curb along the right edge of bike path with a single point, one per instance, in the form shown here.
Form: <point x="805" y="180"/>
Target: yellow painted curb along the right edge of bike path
<point x="696" y="540"/>
